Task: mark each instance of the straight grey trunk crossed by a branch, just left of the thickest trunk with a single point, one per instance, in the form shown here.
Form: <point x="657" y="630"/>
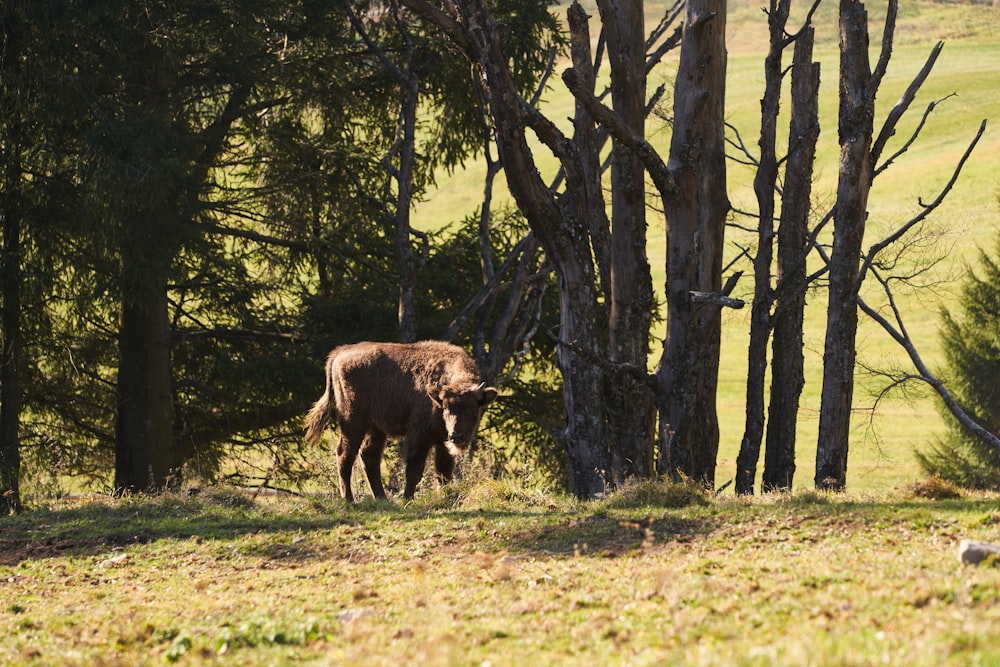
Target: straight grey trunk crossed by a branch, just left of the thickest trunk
<point x="631" y="412"/>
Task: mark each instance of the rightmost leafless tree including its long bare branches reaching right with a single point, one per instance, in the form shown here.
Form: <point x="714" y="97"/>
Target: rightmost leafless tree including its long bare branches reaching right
<point x="861" y="151"/>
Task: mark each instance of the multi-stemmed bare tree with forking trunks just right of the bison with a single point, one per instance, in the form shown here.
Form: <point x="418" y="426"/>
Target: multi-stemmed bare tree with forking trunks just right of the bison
<point x="593" y="264"/>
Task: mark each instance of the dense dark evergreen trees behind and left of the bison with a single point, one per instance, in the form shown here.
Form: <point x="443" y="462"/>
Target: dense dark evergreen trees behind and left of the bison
<point x="198" y="201"/>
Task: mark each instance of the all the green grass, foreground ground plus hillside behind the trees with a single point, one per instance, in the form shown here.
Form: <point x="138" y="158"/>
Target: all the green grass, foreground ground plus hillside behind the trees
<point x="487" y="573"/>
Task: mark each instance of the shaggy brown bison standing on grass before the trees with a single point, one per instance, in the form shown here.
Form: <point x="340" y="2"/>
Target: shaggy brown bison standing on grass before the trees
<point x="428" y="393"/>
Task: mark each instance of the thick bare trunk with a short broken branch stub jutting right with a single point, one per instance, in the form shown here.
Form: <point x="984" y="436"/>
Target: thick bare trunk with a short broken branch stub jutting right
<point x="687" y="375"/>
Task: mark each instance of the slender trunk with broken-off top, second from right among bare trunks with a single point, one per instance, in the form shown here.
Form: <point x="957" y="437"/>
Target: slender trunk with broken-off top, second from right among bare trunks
<point x="787" y="374"/>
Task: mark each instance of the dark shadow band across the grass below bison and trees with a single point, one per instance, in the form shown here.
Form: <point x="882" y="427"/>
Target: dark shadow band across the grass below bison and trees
<point x="92" y="529"/>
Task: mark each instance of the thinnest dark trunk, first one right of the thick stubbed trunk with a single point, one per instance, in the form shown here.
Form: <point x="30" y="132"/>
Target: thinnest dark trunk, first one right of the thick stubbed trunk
<point x="760" y="317"/>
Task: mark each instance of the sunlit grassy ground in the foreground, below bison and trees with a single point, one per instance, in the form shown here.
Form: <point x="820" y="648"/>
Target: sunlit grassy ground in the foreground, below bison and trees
<point x="492" y="575"/>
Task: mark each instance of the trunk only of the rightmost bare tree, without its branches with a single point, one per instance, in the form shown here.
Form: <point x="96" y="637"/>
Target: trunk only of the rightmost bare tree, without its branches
<point x="851" y="209"/>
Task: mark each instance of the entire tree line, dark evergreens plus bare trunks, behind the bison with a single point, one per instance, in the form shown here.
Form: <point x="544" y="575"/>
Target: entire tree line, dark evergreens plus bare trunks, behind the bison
<point x="200" y="199"/>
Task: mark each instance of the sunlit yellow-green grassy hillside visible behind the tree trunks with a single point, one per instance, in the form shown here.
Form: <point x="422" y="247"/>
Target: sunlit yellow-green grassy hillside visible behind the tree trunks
<point x="965" y="80"/>
